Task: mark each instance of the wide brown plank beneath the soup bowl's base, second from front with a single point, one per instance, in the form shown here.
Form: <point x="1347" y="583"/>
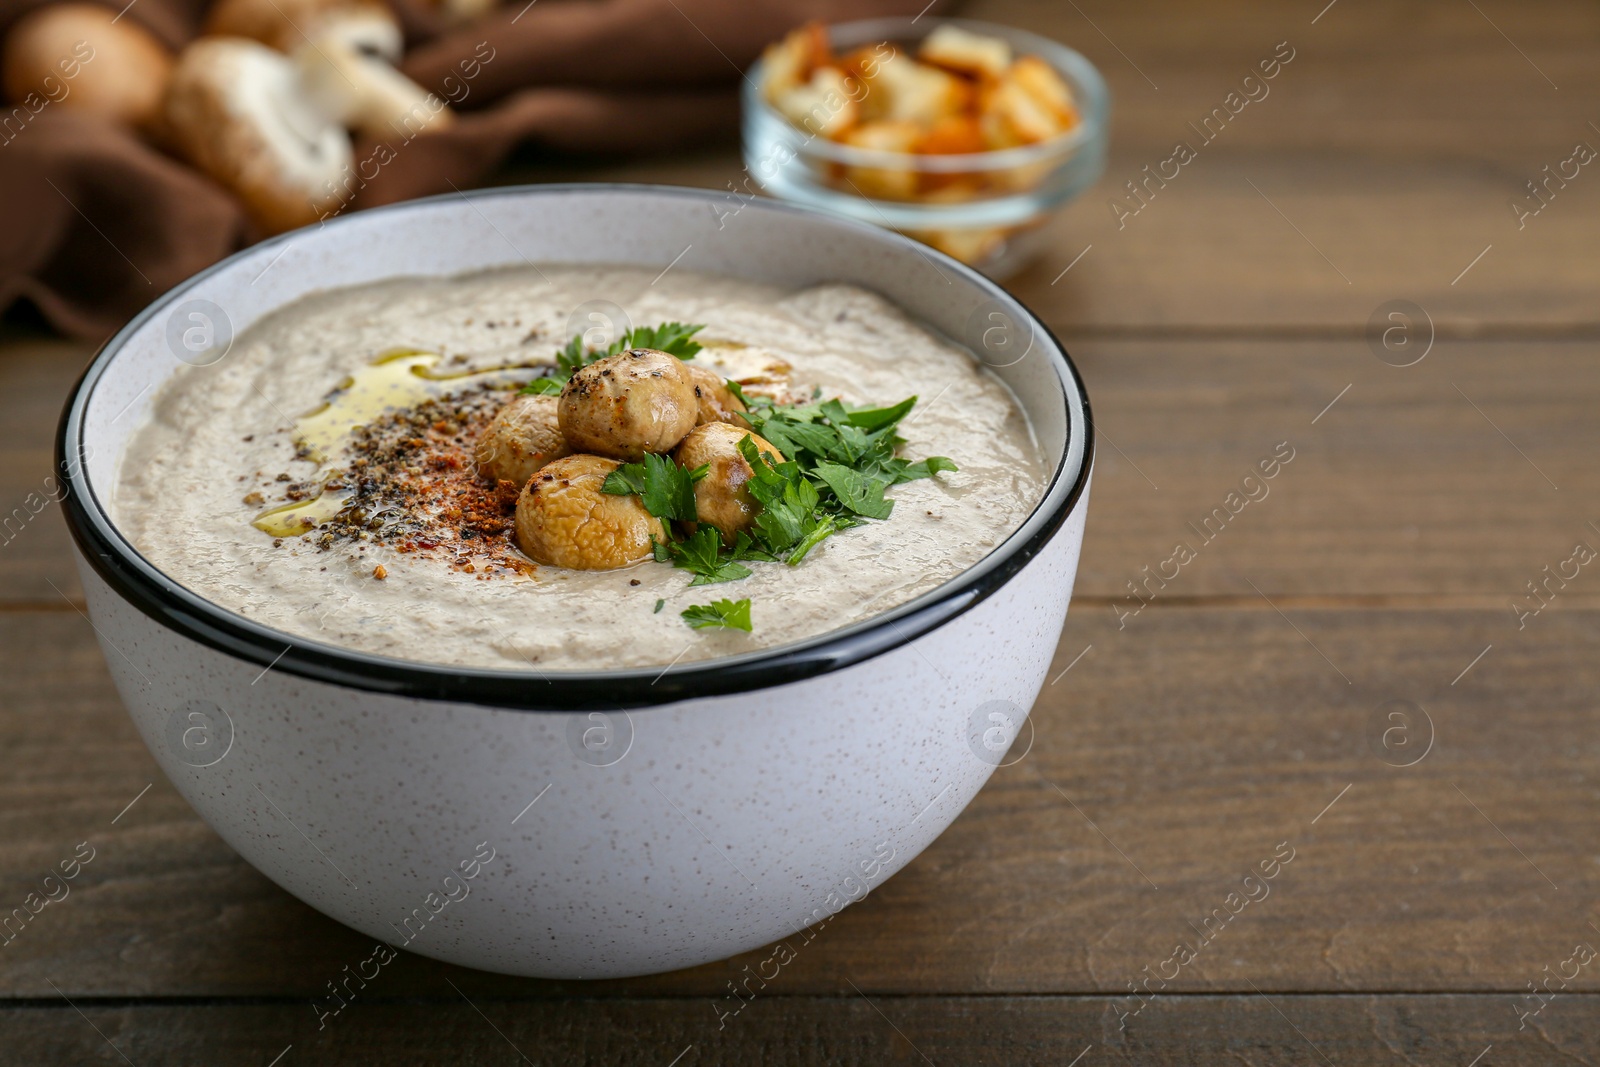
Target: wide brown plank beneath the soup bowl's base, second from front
<point x="1177" y="754"/>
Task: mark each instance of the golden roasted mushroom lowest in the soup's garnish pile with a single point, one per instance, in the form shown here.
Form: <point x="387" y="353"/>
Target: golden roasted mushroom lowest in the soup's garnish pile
<point x="566" y="521"/>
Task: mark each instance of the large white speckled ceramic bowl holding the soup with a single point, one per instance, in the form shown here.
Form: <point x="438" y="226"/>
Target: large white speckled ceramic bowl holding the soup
<point x="583" y="825"/>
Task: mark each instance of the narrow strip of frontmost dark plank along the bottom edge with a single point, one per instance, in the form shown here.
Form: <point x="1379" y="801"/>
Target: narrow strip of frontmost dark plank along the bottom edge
<point x="1233" y="1031"/>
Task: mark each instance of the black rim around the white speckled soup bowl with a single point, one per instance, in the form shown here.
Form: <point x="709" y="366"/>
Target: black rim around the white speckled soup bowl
<point x="150" y="591"/>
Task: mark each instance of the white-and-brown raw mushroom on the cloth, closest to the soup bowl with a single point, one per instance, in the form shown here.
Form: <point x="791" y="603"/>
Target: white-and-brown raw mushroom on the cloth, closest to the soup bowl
<point x="236" y="111"/>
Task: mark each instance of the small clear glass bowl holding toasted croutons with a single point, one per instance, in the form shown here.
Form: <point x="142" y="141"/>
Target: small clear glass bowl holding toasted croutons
<point x="985" y="209"/>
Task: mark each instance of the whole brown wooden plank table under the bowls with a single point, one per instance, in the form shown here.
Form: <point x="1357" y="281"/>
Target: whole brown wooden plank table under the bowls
<point x="1444" y="861"/>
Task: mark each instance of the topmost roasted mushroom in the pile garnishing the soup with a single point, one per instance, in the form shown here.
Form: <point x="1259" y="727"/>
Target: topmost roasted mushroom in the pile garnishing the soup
<point x="630" y="404"/>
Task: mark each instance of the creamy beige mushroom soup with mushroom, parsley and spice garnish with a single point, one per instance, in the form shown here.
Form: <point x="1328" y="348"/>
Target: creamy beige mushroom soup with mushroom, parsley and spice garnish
<point x="342" y="474"/>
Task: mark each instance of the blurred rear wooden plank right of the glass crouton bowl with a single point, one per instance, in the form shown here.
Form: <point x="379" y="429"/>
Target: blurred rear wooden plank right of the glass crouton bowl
<point x="1382" y="162"/>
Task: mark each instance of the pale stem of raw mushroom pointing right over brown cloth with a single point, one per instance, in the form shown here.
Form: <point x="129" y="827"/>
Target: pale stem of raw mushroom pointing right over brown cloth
<point x="366" y="94"/>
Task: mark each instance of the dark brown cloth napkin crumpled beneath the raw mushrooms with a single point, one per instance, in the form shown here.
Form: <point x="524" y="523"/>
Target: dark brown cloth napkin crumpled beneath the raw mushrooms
<point x="95" y="222"/>
